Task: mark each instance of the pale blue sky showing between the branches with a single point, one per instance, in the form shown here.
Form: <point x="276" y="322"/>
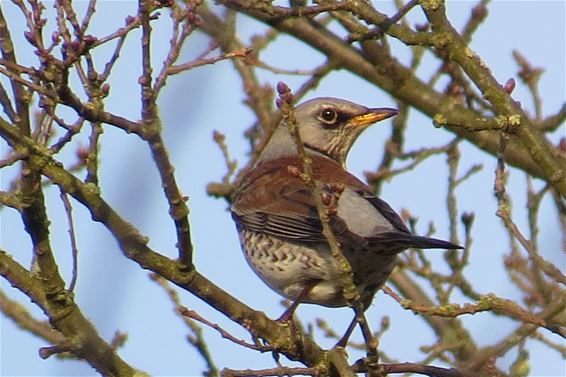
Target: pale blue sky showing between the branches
<point x="116" y="295"/>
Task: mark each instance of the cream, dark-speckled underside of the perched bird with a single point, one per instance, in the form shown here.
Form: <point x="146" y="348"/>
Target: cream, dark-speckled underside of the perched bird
<point x="288" y="267"/>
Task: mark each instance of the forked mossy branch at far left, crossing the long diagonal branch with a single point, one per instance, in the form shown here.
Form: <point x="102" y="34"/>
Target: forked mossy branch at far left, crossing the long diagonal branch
<point x="51" y="297"/>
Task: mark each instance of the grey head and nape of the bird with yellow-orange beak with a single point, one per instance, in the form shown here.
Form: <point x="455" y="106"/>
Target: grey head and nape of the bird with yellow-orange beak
<point x="328" y="126"/>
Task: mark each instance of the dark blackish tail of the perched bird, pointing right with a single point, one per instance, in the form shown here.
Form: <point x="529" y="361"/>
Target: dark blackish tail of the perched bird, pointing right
<point x="397" y="241"/>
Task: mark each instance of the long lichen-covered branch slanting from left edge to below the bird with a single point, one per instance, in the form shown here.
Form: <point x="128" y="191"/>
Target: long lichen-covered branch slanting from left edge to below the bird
<point x="135" y="247"/>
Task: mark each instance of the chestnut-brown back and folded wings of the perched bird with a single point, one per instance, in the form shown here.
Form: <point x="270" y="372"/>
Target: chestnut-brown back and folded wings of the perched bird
<point x="273" y="199"/>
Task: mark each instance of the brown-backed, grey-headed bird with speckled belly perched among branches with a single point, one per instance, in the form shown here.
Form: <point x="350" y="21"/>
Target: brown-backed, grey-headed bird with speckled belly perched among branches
<point x="277" y="219"/>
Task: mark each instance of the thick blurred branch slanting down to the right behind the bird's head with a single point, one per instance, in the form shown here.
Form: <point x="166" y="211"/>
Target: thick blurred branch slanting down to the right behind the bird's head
<point x="391" y="76"/>
